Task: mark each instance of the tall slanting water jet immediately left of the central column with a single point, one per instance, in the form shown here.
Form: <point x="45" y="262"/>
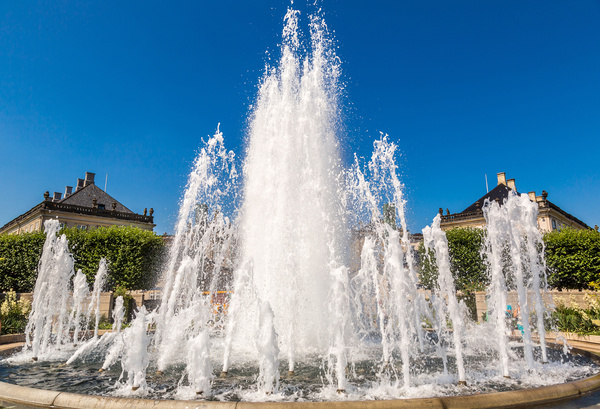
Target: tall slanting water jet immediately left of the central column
<point x="203" y="246"/>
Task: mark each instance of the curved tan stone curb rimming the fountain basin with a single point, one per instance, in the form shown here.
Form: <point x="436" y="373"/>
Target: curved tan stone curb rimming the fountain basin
<point x="24" y="397"/>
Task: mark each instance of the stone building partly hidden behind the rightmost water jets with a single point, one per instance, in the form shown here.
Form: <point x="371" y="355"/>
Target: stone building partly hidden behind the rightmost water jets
<point x="550" y="216"/>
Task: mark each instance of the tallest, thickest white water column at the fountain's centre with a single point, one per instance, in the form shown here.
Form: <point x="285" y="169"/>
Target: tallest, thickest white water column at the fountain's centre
<point x="292" y="210"/>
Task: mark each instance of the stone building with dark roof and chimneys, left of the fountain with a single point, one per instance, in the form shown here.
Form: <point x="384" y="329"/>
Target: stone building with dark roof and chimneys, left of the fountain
<point x="86" y="207"/>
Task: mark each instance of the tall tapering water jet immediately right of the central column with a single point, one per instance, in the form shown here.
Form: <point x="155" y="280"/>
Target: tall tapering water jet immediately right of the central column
<point x="400" y="307"/>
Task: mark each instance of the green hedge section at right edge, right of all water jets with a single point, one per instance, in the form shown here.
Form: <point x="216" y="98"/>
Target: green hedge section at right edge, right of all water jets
<point x="573" y="258"/>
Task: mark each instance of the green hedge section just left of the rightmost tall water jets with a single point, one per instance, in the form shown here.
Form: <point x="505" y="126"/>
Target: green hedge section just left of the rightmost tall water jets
<point x="467" y="265"/>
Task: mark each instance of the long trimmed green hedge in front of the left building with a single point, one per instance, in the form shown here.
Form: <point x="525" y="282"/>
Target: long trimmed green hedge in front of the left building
<point x="134" y="256"/>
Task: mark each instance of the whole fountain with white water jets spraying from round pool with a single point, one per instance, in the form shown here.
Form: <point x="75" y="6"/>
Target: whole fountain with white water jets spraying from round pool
<point x="320" y="273"/>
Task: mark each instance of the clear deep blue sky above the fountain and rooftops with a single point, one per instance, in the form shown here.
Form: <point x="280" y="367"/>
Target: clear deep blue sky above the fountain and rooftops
<point x="466" y="88"/>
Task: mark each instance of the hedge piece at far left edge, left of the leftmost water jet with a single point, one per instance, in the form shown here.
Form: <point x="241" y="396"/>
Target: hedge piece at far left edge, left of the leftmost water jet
<point x="19" y="257"/>
